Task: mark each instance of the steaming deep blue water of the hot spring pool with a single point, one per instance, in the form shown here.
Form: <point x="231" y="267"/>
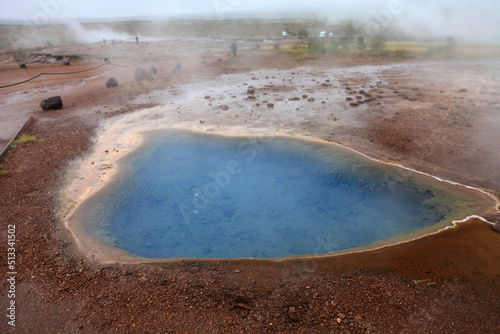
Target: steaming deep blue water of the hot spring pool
<point x="186" y="194"/>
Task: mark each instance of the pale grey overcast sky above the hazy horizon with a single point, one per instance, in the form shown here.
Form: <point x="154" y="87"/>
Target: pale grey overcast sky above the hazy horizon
<point x="462" y="18"/>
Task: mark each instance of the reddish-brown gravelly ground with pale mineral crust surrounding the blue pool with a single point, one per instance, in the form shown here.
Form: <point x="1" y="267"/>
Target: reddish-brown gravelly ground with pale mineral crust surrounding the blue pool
<point x="439" y="117"/>
